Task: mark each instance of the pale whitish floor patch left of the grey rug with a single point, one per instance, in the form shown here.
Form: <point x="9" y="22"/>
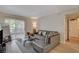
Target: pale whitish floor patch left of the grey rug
<point x="11" y="47"/>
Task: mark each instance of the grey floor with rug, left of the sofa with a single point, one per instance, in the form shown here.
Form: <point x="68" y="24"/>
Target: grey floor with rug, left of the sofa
<point x="17" y="47"/>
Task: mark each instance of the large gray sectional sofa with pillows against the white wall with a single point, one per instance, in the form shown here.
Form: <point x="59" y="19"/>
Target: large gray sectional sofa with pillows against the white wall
<point x="46" y="40"/>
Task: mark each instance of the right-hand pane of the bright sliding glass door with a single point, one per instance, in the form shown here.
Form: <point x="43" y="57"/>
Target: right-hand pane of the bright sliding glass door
<point x="19" y="29"/>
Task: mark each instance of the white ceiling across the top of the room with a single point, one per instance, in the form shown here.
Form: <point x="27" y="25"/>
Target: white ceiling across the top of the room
<point x="35" y="10"/>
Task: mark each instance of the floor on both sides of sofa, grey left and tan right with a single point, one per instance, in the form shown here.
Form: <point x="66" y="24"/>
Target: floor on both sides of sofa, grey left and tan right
<point x="16" y="47"/>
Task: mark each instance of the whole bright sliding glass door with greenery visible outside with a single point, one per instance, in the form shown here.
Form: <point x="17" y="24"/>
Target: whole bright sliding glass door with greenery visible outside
<point x="16" y="28"/>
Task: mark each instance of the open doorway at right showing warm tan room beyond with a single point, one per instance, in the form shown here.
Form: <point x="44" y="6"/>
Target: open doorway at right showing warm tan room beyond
<point x="72" y="28"/>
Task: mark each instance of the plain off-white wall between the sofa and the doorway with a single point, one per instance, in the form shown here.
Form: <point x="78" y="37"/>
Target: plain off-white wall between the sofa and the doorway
<point x="53" y="23"/>
